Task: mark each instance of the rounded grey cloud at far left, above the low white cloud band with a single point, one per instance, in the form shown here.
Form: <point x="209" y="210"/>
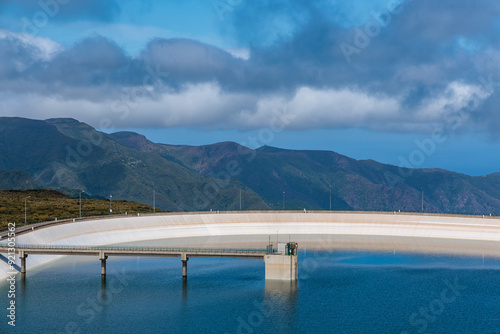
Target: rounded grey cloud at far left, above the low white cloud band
<point x="93" y="62"/>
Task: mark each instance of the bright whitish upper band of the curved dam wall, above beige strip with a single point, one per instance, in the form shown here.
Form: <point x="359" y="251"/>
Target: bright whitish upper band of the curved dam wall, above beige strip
<point x="132" y="229"/>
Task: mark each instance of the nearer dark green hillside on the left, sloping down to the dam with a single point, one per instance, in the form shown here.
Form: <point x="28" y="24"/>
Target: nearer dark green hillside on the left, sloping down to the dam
<point x="67" y="154"/>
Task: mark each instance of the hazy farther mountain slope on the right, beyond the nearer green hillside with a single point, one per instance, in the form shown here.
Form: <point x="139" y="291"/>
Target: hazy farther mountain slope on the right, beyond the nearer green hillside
<point x="307" y="177"/>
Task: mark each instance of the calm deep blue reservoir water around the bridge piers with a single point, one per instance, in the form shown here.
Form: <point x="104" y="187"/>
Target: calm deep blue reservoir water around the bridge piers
<point x="341" y="292"/>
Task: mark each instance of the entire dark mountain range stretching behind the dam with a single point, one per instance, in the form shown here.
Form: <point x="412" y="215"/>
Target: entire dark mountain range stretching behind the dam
<point x="65" y="153"/>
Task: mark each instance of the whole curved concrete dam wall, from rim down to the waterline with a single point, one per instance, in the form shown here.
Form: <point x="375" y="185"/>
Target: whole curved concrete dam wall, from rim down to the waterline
<point x="406" y="232"/>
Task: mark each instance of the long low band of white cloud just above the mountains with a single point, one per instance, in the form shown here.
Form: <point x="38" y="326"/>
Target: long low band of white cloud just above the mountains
<point x="207" y="106"/>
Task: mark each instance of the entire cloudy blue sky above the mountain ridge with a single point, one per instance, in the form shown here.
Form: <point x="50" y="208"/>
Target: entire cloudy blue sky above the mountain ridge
<point x="406" y="82"/>
